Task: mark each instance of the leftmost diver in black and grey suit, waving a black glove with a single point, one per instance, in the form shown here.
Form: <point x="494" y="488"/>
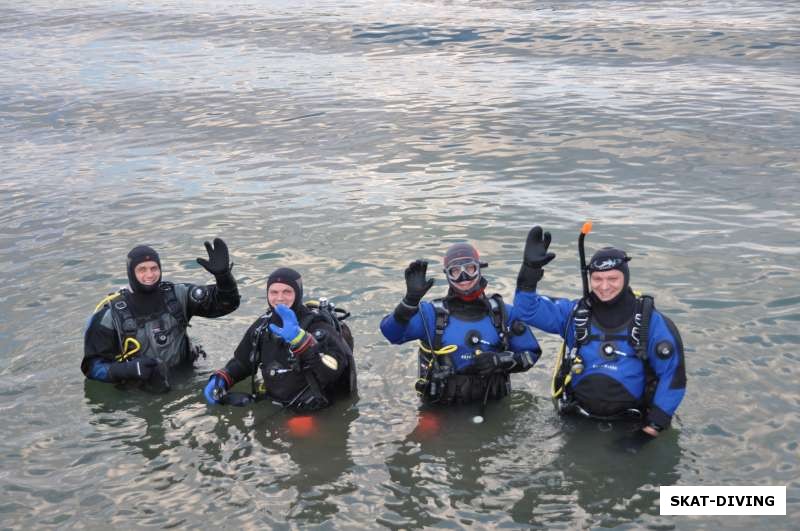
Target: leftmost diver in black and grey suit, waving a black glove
<point x="138" y="334"/>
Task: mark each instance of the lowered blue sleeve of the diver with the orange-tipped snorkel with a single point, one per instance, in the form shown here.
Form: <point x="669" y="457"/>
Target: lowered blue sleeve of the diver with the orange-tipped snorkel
<point x="665" y="355"/>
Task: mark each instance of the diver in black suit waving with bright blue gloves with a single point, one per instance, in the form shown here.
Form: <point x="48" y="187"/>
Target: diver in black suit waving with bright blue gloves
<point x="304" y="351"/>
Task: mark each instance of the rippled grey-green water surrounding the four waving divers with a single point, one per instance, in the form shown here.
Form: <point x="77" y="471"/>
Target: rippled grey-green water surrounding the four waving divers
<point x="347" y="139"/>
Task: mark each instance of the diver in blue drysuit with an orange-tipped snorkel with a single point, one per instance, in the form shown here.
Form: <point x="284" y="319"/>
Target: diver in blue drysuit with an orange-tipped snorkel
<point x="621" y="358"/>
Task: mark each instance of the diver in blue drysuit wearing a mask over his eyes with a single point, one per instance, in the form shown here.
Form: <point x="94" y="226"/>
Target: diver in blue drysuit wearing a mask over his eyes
<point x="469" y="342"/>
